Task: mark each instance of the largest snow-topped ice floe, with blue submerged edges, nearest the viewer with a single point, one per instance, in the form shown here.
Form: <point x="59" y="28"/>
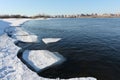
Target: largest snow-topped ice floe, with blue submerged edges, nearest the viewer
<point x="40" y="59"/>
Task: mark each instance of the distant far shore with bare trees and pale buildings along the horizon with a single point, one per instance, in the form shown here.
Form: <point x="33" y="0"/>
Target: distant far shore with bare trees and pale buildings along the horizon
<point x="44" y="16"/>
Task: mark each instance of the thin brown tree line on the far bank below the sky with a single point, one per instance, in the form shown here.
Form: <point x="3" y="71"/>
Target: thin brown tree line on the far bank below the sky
<point x="61" y="16"/>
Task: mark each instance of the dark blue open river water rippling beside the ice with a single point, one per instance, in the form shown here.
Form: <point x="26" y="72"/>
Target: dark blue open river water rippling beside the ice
<point x="91" y="46"/>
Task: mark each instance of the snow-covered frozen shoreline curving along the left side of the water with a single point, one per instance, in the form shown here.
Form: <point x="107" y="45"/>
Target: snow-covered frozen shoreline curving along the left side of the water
<point x="16" y="70"/>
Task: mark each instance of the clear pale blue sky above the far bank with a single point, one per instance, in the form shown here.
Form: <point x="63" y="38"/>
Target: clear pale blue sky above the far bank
<point x="55" y="7"/>
